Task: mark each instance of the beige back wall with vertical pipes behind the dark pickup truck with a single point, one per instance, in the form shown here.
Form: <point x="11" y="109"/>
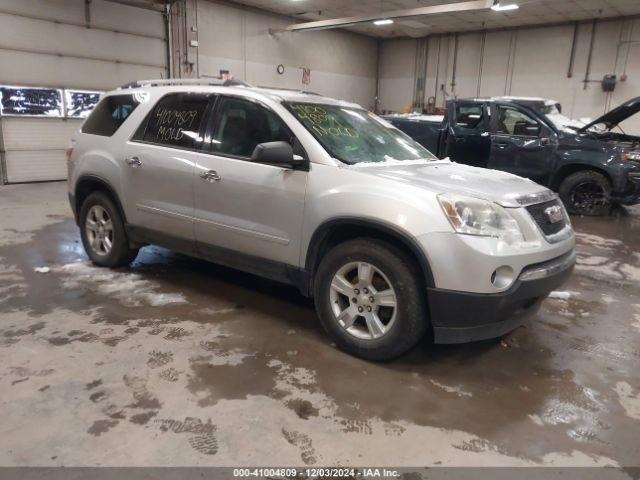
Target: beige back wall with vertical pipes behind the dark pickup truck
<point x="524" y="62"/>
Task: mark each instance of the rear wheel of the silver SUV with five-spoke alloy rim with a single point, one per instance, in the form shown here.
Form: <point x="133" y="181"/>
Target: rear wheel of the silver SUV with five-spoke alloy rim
<point x="98" y="210"/>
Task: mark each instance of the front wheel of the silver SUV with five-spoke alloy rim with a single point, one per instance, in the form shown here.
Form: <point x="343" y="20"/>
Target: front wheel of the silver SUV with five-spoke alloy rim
<point x="400" y="327"/>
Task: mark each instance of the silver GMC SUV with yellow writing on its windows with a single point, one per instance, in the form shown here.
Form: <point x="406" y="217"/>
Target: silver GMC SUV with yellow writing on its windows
<point x="391" y="242"/>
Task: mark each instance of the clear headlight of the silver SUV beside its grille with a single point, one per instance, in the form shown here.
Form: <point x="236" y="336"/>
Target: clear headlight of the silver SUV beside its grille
<point x="474" y="216"/>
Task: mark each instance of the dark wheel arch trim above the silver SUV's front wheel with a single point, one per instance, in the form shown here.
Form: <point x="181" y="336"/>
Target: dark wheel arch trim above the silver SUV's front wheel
<point x="338" y="230"/>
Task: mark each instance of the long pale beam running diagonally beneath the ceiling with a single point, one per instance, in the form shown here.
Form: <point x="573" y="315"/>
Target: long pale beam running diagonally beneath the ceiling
<point x="393" y="14"/>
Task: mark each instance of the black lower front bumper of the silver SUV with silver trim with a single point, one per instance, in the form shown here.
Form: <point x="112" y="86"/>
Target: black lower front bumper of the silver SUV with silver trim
<point x="460" y="317"/>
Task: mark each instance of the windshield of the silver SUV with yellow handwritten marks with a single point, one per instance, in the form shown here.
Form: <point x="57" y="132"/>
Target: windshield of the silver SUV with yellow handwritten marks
<point x="353" y="135"/>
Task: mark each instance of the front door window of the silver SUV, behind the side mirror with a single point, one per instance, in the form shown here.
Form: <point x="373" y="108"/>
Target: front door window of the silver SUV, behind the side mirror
<point x="240" y="125"/>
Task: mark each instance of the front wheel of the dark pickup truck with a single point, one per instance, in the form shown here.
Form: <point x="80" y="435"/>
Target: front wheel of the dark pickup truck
<point x="586" y="193"/>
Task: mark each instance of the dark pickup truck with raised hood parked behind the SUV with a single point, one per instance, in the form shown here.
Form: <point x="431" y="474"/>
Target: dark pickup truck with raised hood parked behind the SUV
<point x="591" y="167"/>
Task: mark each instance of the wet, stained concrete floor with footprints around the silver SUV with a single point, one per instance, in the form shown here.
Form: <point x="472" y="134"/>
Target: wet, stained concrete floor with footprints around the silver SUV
<point x="175" y="361"/>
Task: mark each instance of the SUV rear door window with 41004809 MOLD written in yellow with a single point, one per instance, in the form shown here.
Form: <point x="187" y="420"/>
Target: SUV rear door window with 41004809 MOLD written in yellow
<point x="176" y="121"/>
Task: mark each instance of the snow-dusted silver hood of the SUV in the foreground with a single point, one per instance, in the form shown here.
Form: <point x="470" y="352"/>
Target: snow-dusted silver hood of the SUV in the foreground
<point x="444" y="176"/>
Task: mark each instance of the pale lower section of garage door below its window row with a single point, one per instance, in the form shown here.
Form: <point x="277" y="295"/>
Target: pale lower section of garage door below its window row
<point x="35" y="148"/>
